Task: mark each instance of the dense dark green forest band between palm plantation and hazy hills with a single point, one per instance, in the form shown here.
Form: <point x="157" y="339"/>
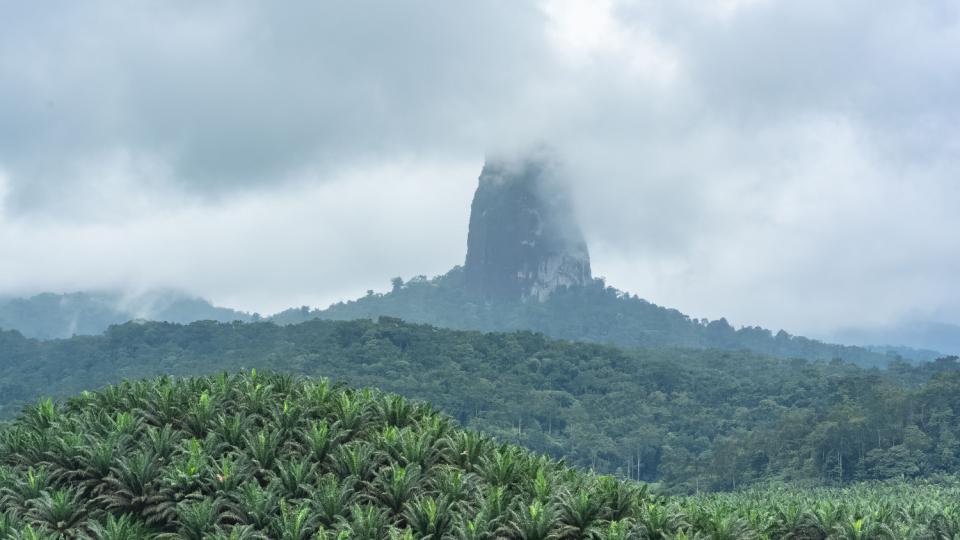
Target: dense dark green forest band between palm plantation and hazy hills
<point x="688" y="418"/>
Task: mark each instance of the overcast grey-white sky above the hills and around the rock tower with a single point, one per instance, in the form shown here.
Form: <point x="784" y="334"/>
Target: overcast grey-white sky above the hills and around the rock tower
<point x="792" y="164"/>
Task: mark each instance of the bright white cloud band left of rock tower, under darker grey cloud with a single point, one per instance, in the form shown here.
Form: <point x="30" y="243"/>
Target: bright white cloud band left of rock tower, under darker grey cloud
<point x="265" y="250"/>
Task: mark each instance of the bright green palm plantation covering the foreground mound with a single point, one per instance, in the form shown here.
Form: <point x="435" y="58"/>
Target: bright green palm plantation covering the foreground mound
<point x="171" y="480"/>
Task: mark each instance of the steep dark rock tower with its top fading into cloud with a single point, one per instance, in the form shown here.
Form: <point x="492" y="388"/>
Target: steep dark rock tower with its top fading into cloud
<point x="524" y="241"/>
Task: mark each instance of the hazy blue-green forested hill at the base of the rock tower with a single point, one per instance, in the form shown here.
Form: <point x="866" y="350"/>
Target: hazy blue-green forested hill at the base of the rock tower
<point x="593" y="313"/>
